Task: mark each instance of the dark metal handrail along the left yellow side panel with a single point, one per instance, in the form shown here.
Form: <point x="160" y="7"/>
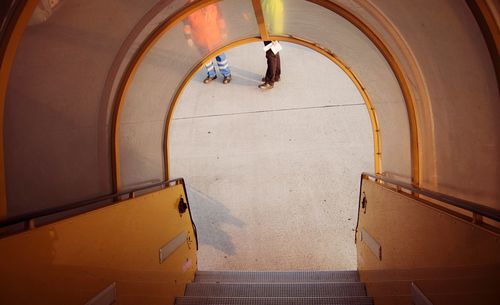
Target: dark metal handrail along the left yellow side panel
<point x="80" y="204"/>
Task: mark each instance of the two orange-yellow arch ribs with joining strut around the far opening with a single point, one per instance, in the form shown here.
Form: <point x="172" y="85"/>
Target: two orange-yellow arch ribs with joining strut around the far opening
<point x="265" y="36"/>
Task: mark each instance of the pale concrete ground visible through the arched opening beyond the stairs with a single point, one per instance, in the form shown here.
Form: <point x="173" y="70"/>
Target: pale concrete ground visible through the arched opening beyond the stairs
<point x="273" y="176"/>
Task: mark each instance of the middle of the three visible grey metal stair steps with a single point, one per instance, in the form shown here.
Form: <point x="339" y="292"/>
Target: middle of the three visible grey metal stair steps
<point x="276" y="290"/>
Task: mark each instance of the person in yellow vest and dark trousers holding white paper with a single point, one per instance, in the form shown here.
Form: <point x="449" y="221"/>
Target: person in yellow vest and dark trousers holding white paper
<point x="273" y="17"/>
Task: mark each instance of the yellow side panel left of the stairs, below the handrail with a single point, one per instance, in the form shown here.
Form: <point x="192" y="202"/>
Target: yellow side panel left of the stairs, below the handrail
<point x="71" y="261"/>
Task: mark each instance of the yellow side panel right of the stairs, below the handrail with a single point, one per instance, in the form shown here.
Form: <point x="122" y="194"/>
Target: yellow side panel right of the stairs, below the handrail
<point x="452" y="260"/>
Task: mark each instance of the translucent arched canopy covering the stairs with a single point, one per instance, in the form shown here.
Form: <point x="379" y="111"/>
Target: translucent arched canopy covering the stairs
<point x="69" y="70"/>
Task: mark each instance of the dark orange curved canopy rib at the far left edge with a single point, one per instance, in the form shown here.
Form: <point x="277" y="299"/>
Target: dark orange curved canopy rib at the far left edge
<point x="8" y="55"/>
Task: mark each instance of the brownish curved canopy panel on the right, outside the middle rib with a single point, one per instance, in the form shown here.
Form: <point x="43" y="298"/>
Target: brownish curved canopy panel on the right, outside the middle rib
<point x="446" y="61"/>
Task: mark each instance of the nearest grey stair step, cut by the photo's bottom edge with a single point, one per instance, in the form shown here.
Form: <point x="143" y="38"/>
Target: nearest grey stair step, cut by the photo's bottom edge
<point x="274" y="301"/>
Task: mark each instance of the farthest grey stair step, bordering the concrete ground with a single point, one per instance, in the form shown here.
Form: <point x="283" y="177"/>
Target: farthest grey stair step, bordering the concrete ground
<point x="276" y="277"/>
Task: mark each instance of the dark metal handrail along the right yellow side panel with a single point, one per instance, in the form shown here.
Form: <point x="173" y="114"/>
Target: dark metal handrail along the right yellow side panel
<point x="457" y="202"/>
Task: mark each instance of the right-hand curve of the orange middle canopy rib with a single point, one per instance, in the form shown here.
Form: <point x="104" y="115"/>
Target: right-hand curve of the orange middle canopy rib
<point x="398" y="73"/>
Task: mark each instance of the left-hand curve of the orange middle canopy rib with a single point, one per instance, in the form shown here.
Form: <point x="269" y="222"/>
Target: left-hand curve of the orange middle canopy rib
<point x="128" y="75"/>
